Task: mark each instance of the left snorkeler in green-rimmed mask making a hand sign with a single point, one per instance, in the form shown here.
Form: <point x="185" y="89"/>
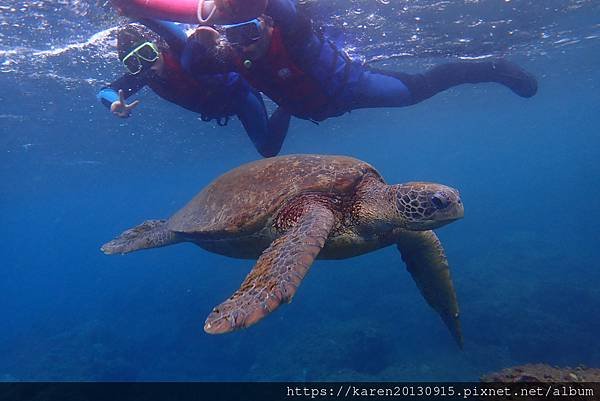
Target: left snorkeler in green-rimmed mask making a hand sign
<point x="153" y="57"/>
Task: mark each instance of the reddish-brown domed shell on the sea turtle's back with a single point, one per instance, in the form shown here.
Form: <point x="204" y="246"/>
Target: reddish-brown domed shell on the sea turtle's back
<point x="241" y="201"/>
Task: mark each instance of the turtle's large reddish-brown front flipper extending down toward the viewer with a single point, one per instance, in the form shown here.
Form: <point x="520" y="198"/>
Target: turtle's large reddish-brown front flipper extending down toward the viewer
<point x="276" y="274"/>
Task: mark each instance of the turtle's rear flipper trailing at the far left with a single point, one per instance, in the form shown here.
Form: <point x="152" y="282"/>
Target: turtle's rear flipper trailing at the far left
<point x="149" y="234"/>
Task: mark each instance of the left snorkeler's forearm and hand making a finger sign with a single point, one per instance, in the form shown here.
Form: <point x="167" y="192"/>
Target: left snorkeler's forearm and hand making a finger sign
<point x="114" y="95"/>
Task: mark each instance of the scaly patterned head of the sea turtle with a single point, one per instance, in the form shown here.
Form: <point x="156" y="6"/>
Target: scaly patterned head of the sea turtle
<point x="426" y="206"/>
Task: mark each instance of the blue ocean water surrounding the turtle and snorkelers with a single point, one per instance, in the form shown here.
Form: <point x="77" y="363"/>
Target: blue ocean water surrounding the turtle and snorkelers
<point x="524" y="258"/>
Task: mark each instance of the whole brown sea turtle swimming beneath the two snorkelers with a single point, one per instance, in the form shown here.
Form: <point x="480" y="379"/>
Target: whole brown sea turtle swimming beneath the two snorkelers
<point x="286" y="211"/>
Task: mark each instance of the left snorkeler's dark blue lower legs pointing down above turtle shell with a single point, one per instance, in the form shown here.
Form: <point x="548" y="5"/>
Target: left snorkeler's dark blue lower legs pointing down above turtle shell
<point x="266" y="134"/>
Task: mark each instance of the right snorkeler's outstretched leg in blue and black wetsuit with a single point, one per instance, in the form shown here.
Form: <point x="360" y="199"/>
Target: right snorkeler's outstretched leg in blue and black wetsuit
<point x="380" y="88"/>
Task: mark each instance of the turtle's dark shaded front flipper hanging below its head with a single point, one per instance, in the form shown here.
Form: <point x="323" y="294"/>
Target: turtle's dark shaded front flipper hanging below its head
<point x="427" y="263"/>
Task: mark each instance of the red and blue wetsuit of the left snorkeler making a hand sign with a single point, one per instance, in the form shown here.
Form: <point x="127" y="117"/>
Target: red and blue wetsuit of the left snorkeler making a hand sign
<point x="213" y="96"/>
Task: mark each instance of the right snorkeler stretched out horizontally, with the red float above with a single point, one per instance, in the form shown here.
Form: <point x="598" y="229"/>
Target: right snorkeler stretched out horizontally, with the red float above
<point x="280" y="54"/>
